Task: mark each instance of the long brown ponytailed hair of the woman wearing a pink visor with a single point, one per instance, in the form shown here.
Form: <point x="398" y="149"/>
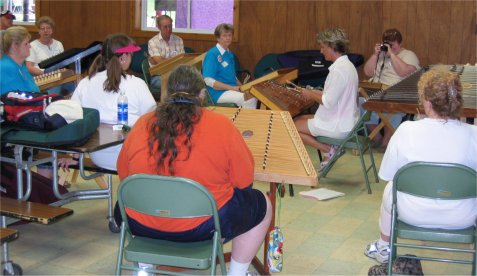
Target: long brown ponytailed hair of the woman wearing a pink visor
<point x="109" y="61"/>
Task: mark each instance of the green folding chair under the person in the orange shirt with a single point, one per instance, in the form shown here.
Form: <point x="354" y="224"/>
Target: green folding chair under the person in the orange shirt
<point x="163" y="196"/>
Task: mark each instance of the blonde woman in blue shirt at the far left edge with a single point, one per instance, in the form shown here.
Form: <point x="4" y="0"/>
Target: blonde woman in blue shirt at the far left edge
<point x="14" y="71"/>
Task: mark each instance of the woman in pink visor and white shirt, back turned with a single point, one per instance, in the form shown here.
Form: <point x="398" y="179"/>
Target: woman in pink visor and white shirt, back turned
<point x="100" y="90"/>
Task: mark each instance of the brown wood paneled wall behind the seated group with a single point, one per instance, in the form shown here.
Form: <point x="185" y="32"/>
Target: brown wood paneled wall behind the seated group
<point x="437" y="31"/>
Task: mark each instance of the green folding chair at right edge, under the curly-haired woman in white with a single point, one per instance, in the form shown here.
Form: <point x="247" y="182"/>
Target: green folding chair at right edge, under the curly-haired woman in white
<point x="443" y="181"/>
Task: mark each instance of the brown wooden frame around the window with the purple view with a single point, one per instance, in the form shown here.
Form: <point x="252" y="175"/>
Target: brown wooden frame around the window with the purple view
<point x="136" y="31"/>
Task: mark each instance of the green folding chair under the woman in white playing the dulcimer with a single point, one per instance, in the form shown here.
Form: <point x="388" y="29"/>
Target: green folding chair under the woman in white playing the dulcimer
<point x="358" y="140"/>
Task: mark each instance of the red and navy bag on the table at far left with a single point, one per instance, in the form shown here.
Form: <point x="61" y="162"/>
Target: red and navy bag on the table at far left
<point x="25" y="110"/>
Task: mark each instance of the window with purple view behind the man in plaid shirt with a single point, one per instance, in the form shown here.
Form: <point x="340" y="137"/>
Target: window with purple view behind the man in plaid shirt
<point x="189" y="16"/>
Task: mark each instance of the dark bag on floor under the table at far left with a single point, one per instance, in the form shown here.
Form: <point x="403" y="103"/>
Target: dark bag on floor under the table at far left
<point x="41" y="188"/>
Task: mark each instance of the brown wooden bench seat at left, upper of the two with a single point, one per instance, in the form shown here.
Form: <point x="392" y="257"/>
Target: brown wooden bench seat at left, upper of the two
<point x="31" y="211"/>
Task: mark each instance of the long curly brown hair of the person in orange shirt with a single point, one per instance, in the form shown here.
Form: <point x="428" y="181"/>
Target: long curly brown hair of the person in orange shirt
<point x="177" y="115"/>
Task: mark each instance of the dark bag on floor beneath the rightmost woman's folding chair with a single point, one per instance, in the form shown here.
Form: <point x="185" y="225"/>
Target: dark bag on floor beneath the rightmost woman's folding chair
<point x="402" y="265"/>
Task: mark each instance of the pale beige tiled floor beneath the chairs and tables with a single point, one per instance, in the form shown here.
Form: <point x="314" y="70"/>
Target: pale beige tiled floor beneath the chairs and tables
<point x="321" y="237"/>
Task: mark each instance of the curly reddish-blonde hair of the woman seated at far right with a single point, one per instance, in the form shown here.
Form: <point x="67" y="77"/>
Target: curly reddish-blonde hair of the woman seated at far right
<point x="443" y="90"/>
